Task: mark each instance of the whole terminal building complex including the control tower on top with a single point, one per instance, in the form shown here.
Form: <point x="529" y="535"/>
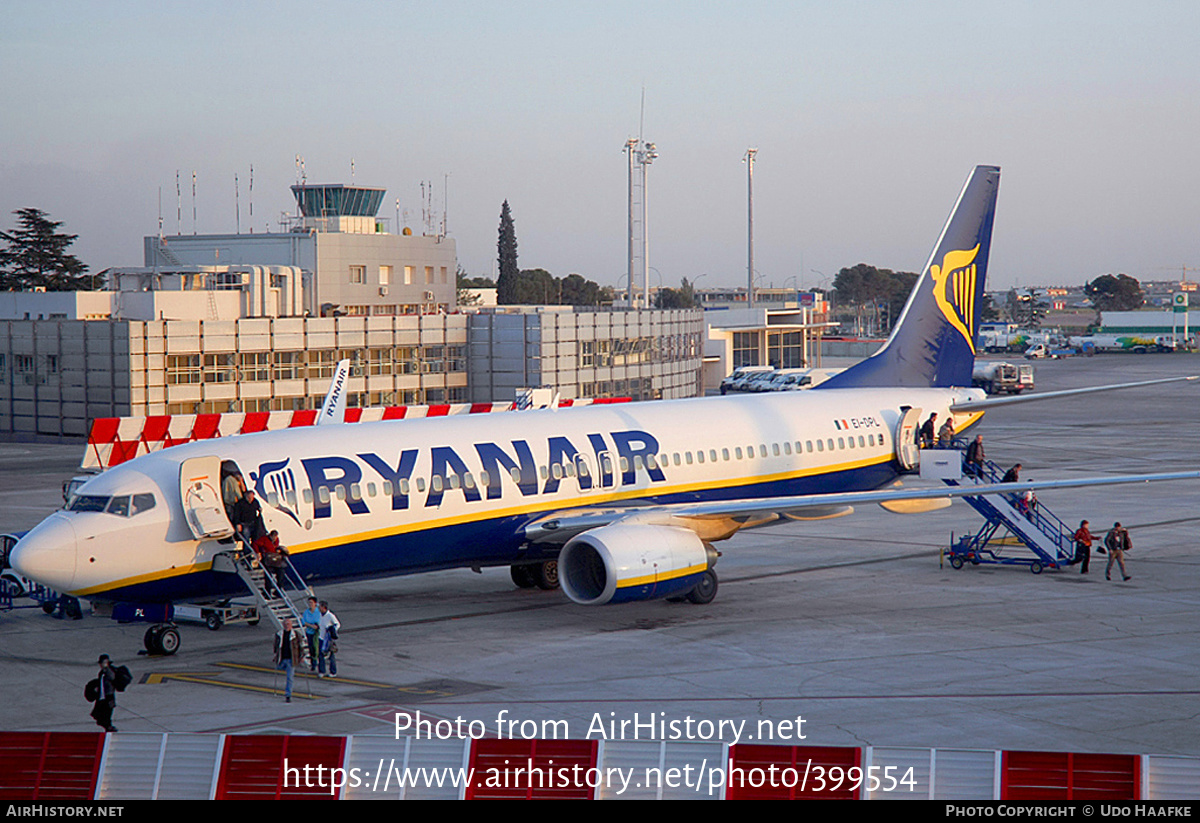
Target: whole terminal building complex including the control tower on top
<point x="257" y="323"/>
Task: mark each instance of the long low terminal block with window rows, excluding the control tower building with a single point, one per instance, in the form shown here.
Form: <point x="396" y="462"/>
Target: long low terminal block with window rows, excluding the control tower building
<point x="58" y="375"/>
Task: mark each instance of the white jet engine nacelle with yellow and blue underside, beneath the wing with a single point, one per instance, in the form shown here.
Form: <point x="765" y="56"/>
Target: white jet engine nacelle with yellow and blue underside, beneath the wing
<point x="628" y="562"/>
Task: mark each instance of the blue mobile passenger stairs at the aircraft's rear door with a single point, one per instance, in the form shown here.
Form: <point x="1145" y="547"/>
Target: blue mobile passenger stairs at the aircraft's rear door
<point x="1047" y="537"/>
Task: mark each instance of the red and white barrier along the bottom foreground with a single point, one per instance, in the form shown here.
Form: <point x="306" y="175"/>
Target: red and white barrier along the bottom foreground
<point x="81" y="767"/>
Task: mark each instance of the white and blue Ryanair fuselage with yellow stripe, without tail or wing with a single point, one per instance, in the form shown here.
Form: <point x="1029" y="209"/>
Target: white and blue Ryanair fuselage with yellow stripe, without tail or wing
<point x="409" y="496"/>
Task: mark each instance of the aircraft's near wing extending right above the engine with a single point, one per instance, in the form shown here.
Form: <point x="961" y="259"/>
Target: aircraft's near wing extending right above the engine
<point x="721" y="519"/>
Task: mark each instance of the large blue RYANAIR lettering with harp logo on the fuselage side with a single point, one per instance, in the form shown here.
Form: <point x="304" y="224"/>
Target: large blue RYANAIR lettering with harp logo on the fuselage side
<point x="609" y="462"/>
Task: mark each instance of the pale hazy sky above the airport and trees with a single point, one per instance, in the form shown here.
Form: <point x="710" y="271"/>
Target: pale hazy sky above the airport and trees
<point x="868" y="117"/>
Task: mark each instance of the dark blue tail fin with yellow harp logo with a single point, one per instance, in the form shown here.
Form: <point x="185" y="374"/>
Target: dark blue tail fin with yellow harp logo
<point x="933" y="345"/>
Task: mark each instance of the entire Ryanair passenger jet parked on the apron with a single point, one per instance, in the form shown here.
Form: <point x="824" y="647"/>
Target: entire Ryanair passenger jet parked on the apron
<point x="628" y="500"/>
